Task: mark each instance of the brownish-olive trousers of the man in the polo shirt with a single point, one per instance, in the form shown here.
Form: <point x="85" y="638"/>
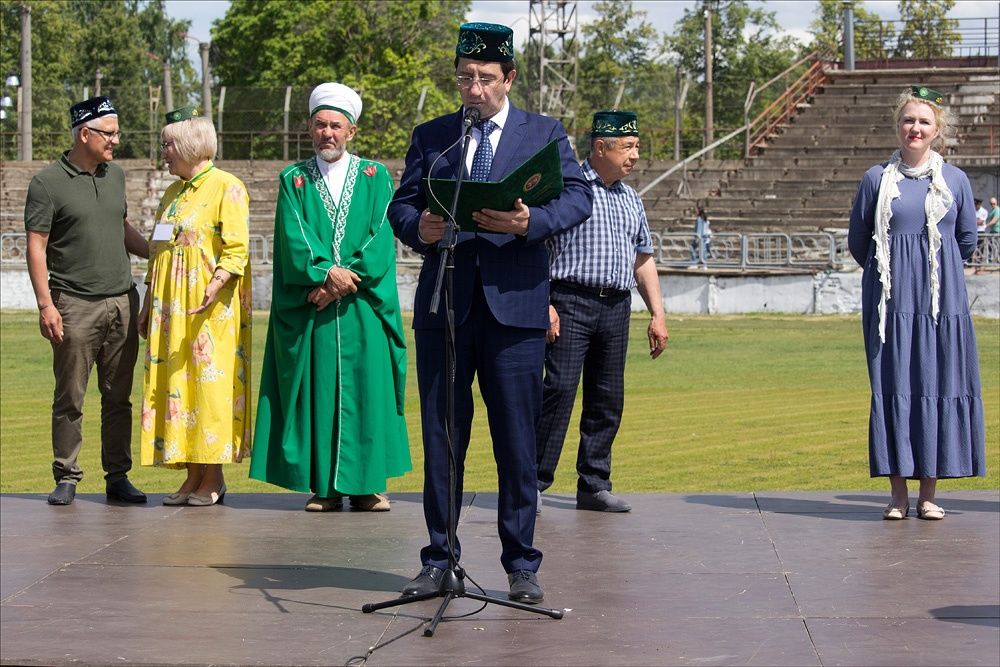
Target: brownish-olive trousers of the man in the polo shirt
<point x="101" y="331"/>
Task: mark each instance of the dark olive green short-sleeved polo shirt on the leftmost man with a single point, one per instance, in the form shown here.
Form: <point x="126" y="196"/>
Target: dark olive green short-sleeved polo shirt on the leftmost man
<point x="84" y="215"/>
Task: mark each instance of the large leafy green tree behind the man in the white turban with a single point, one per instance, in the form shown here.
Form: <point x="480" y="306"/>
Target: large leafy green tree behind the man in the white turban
<point x="389" y="49"/>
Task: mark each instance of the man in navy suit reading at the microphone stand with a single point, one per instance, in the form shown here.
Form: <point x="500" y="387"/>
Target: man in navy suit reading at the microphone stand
<point x="501" y="296"/>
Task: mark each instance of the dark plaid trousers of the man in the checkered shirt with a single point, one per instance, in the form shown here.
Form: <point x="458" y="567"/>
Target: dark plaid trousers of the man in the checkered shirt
<point x="593" y="340"/>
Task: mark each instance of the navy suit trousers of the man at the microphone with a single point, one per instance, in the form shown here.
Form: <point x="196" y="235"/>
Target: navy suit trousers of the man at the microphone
<point x="508" y="362"/>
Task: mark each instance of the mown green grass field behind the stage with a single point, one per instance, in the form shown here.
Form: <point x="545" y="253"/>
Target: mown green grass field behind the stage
<point x="735" y="404"/>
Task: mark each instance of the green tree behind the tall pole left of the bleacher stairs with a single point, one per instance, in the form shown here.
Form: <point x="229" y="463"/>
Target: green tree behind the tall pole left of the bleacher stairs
<point x="745" y="48"/>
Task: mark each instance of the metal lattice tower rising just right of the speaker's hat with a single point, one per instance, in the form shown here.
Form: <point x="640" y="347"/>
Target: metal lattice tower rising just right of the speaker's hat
<point x="552" y="26"/>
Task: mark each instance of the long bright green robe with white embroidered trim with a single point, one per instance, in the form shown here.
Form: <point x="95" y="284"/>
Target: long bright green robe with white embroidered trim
<point x="330" y="411"/>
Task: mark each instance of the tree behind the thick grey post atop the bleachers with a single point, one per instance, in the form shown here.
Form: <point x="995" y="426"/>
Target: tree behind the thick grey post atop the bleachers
<point x="871" y="35"/>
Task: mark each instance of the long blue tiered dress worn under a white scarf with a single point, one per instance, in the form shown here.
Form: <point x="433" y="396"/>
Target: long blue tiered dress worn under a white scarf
<point x="926" y="408"/>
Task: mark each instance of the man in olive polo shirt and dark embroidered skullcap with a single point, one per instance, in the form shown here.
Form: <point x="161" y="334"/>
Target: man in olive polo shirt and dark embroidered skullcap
<point x="78" y="245"/>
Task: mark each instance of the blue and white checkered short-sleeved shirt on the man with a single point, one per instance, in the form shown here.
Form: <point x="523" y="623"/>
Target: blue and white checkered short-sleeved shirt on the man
<point x="601" y="251"/>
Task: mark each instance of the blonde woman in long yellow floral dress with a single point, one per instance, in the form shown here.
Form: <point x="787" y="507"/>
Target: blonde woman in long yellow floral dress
<point x="196" y="312"/>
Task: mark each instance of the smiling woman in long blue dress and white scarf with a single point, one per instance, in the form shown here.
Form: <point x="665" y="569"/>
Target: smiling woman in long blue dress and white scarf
<point x="912" y="225"/>
